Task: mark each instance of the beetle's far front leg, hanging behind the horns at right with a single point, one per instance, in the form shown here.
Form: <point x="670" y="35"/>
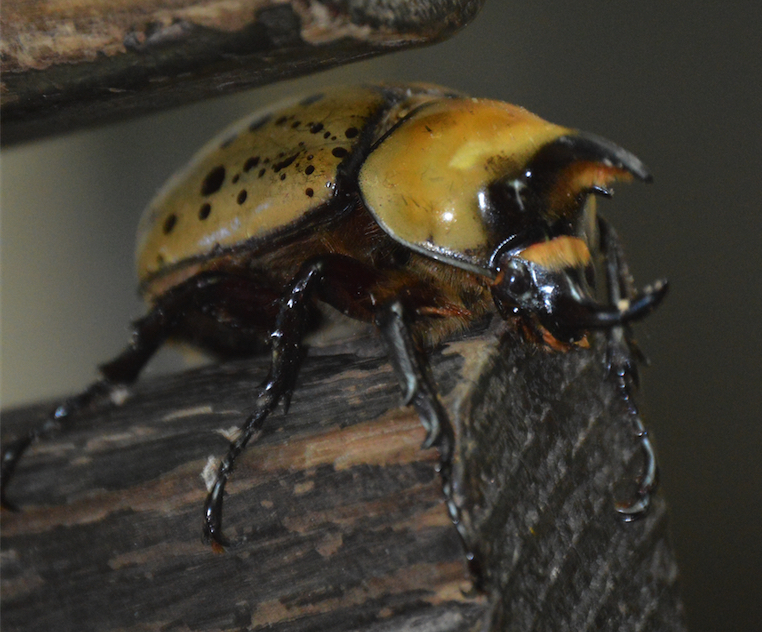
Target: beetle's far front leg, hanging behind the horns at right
<point x="622" y="357"/>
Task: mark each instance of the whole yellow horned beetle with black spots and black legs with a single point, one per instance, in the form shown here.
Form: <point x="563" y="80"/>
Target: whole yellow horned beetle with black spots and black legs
<point x="413" y="207"/>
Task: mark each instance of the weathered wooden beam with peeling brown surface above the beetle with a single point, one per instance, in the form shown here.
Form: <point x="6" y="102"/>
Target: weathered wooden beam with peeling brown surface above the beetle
<point x="70" y="63"/>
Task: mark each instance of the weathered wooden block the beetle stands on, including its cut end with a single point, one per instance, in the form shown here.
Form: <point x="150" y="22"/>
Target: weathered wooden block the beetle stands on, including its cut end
<point x="341" y="510"/>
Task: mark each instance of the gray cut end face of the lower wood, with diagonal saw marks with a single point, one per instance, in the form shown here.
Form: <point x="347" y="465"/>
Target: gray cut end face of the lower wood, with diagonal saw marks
<point x="546" y="448"/>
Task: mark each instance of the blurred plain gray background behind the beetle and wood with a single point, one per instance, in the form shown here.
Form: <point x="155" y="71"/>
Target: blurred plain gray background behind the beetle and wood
<point x="679" y="85"/>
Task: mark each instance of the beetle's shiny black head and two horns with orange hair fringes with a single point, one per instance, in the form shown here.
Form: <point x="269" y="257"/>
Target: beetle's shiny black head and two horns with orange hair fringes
<point x="543" y="270"/>
